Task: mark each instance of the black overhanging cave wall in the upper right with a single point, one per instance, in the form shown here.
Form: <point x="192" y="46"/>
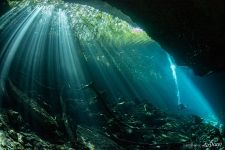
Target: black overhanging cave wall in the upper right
<point x="191" y="30"/>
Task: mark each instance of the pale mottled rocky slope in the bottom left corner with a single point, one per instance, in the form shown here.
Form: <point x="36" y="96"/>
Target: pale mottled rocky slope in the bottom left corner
<point x="13" y="138"/>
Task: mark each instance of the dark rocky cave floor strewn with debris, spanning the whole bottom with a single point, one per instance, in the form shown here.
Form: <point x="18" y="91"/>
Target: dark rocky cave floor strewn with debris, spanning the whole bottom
<point x="126" y="125"/>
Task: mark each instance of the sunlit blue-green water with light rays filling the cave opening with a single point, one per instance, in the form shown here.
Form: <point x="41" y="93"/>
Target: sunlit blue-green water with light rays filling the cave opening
<point x="44" y="47"/>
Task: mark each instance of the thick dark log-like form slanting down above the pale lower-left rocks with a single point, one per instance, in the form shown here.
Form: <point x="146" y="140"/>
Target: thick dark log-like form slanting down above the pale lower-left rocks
<point x="43" y="121"/>
